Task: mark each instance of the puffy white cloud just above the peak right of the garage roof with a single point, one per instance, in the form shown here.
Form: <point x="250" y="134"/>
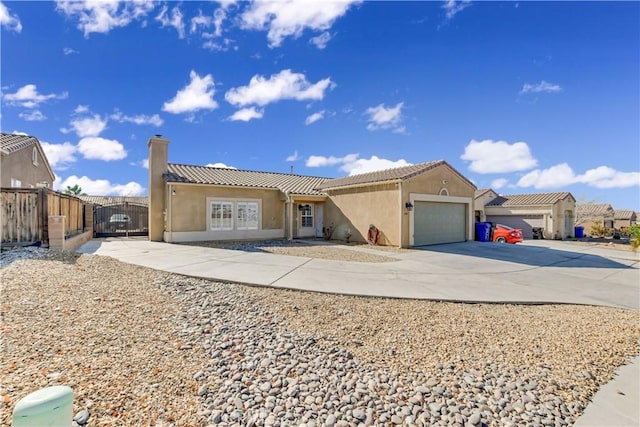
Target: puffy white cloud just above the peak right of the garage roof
<point x="490" y="156"/>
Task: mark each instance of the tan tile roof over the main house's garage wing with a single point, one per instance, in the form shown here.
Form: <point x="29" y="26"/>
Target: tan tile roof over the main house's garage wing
<point x="395" y="174"/>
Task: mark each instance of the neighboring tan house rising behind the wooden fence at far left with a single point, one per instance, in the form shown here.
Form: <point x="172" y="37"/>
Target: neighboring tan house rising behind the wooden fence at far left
<point x="23" y="163"/>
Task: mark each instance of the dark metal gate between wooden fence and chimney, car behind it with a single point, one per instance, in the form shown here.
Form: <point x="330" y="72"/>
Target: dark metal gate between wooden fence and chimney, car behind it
<point x="121" y="220"/>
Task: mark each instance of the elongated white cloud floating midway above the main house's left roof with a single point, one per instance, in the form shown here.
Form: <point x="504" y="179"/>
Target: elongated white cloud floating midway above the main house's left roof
<point x="284" y="85"/>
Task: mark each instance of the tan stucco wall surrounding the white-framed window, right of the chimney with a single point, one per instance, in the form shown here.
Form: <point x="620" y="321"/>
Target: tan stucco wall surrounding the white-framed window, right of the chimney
<point x="188" y="207"/>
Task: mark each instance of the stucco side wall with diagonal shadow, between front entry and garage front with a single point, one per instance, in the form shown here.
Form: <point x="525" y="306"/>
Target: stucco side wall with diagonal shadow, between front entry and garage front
<point x="357" y="208"/>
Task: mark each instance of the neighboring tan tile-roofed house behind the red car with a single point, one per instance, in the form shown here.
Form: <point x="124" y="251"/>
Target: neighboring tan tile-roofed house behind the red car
<point x="553" y="212"/>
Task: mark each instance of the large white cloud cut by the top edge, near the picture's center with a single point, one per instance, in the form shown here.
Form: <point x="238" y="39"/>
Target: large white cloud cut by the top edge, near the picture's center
<point x="287" y="18"/>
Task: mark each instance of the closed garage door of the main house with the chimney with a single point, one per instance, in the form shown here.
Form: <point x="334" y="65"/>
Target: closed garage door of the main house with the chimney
<point x="436" y="222"/>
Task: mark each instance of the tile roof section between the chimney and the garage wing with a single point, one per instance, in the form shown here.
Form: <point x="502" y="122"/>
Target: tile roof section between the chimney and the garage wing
<point x="287" y="183"/>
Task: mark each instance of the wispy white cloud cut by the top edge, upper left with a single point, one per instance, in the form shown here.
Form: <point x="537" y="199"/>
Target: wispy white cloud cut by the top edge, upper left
<point x="102" y="16"/>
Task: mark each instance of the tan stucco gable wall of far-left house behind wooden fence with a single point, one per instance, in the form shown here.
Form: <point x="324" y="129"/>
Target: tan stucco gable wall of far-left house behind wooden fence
<point x="19" y="165"/>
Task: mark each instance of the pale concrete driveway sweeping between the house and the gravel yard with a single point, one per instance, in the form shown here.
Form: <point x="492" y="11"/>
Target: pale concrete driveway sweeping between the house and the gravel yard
<point x="538" y="271"/>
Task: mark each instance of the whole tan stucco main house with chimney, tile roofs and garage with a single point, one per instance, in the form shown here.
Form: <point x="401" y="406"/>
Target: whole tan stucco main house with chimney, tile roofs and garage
<point x="408" y="206"/>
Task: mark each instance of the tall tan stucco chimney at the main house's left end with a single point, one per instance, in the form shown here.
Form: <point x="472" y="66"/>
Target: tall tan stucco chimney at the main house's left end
<point x="158" y="165"/>
